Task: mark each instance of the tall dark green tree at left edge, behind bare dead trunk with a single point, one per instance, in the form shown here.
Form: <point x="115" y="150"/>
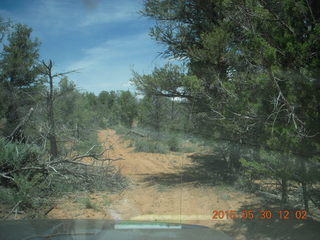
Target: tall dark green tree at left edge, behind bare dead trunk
<point x="19" y="74"/>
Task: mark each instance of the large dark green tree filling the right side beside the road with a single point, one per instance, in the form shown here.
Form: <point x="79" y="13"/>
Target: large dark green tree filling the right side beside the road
<point x="257" y="71"/>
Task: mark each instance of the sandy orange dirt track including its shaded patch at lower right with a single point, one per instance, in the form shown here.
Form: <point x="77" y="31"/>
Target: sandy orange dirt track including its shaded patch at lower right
<point x="149" y="199"/>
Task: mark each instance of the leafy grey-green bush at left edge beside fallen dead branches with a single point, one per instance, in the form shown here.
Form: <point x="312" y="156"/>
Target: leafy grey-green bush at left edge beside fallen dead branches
<point x="30" y="187"/>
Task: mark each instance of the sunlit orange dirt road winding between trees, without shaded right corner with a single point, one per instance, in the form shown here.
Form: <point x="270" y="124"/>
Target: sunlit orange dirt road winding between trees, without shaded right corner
<point x="148" y="198"/>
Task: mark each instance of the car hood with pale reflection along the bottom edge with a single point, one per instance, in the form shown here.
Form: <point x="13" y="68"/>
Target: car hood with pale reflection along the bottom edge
<point x="103" y="229"/>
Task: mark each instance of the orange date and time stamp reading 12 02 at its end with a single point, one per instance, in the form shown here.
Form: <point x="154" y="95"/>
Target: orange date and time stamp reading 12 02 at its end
<point x="263" y="214"/>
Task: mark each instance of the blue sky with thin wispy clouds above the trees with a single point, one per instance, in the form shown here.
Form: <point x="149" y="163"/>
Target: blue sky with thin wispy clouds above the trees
<point x="103" y="39"/>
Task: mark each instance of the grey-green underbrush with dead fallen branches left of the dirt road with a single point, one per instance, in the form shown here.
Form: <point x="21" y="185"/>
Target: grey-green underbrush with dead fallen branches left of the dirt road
<point x="30" y="180"/>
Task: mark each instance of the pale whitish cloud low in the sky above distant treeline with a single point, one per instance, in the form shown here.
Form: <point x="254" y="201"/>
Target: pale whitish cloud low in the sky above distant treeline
<point x="108" y="66"/>
